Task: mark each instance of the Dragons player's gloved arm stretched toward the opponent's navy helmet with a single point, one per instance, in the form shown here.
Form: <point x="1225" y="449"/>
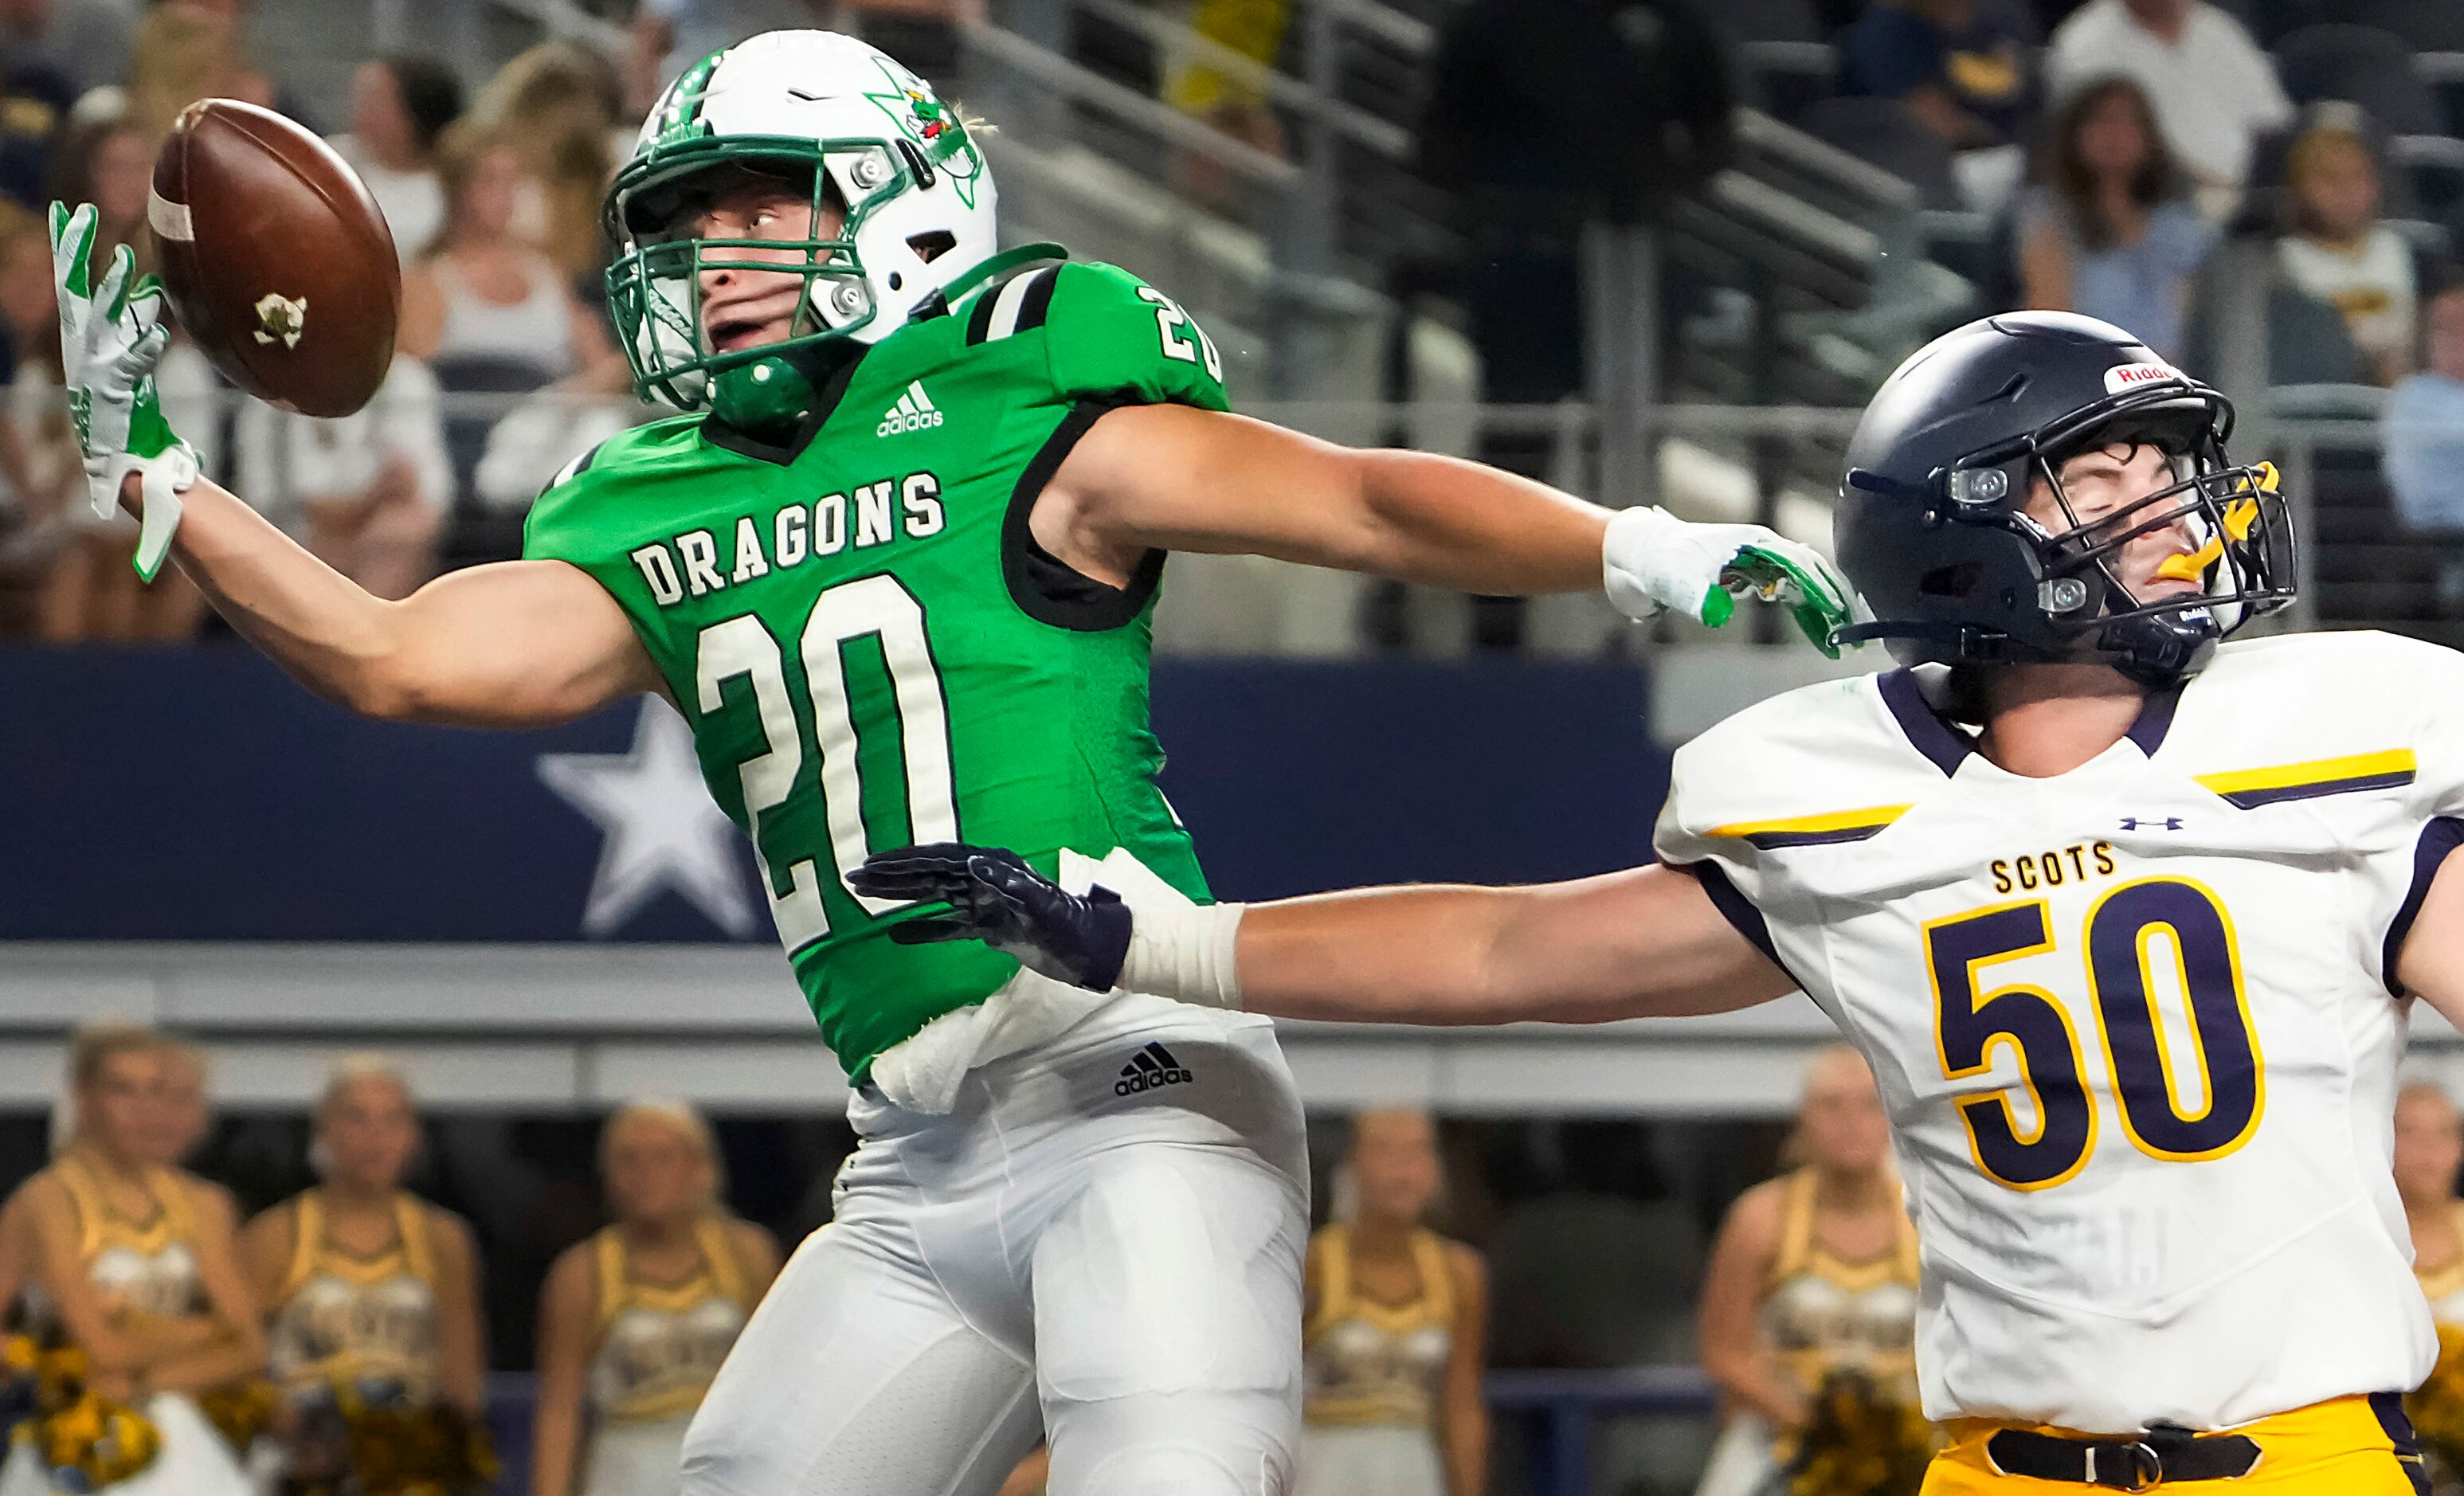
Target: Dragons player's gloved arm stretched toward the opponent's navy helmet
<point x="1169" y="477"/>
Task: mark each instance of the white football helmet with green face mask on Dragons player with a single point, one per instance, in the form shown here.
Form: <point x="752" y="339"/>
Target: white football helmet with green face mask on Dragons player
<point x="876" y="142"/>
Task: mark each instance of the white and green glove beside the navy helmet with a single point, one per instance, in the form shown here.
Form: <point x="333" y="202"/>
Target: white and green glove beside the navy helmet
<point x="1657" y="561"/>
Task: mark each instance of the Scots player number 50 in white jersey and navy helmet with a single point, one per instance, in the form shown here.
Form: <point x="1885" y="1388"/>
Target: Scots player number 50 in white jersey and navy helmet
<point x="2125" y="918"/>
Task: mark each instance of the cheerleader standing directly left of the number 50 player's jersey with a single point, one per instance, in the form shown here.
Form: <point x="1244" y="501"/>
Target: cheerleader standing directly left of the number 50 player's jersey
<point x="1812" y="1283"/>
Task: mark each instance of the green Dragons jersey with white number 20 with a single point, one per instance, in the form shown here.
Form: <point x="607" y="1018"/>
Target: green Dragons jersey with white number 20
<point x="869" y="642"/>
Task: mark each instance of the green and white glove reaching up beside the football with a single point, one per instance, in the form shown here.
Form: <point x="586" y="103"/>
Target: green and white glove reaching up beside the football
<point x="110" y="341"/>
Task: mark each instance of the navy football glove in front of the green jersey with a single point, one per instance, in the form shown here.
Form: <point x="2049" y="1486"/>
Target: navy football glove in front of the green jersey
<point x="1004" y="903"/>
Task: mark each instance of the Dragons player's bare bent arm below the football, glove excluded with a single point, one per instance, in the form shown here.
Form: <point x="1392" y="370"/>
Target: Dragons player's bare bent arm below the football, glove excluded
<point x="516" y="644"/>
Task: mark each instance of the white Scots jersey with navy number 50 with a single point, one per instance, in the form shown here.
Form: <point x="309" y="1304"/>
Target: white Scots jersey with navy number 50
<point x="2135" y="1024"/>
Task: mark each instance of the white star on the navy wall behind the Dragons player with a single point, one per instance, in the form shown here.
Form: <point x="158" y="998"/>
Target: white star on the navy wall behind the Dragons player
<point x="662" y="827"/>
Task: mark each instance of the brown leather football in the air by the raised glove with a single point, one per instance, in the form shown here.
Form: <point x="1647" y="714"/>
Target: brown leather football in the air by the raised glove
<point x="275" y="258"/>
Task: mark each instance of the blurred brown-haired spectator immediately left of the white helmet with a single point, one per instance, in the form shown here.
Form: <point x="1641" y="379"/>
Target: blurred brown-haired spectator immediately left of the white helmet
<point x="561" y="107"/>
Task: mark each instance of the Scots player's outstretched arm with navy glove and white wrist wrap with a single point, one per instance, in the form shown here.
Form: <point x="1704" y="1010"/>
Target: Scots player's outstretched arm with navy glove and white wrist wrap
<point x="1627" y="945"/>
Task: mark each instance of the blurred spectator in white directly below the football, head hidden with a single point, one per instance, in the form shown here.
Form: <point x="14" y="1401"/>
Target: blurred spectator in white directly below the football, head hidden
<point x="368" y="492"/>
